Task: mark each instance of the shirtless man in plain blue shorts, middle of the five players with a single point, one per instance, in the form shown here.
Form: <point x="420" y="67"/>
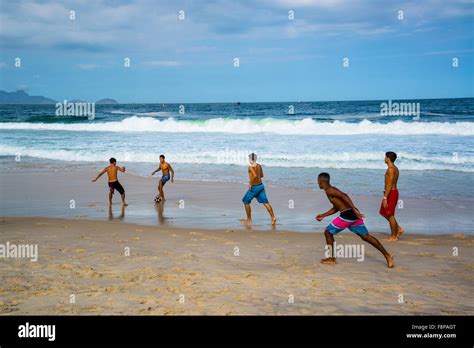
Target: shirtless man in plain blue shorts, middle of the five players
<point x="256" y="190"/>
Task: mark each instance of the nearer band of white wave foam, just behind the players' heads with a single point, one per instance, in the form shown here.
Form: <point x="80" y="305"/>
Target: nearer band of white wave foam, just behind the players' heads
<point x="338" y="160"/>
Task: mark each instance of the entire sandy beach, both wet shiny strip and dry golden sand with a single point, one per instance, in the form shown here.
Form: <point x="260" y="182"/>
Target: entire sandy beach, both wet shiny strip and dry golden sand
<point x="199" y="259"/>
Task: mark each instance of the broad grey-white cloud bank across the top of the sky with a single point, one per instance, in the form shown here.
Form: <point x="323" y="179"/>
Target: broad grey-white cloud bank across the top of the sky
<point x="215" y="29"/>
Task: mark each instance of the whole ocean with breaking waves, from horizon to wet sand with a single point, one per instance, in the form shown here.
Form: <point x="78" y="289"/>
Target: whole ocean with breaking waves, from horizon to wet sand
<point x="294" y="142"/>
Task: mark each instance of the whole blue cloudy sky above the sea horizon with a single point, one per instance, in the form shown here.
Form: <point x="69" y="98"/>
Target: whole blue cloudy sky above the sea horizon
<point x="288" y="50"/>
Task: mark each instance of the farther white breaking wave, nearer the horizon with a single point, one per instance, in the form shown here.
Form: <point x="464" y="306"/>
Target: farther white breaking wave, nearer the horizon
<point x="305" y="126"/>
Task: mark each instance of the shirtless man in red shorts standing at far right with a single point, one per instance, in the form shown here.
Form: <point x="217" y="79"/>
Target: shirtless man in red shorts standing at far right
<point x="390" y="199"/>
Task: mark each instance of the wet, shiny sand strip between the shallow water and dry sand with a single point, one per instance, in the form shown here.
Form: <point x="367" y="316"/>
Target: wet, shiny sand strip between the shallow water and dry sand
<point x="207" y="204"/>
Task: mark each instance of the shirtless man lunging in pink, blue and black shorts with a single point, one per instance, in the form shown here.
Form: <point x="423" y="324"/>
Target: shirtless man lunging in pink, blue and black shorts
<point x="350" y="217"/>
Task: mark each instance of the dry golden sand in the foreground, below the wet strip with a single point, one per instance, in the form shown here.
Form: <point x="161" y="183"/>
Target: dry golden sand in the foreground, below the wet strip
<point x="87" y="259"/>
